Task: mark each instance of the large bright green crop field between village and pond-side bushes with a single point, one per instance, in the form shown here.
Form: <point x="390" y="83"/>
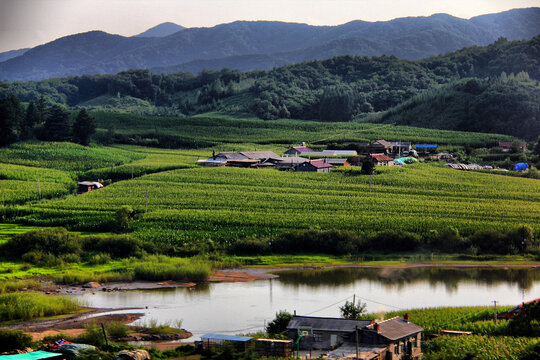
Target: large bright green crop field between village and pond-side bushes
<point x="226" y="204"/>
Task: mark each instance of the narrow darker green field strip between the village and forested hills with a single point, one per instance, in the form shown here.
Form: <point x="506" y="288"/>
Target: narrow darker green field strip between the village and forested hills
<point x="214" y="129"/>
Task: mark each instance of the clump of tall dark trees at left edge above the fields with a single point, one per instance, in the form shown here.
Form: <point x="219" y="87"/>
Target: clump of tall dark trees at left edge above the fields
<point x="43" y="122"/>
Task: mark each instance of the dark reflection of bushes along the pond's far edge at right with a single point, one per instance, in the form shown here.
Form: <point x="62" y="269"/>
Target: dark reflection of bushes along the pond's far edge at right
<point x="391" y="278"/>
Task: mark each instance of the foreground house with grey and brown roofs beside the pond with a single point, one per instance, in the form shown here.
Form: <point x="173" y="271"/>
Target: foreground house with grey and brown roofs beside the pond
<point x="391" y="339"/>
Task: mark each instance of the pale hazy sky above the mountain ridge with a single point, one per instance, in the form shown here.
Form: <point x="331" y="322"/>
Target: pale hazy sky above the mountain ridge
<point x="27" y="23"/>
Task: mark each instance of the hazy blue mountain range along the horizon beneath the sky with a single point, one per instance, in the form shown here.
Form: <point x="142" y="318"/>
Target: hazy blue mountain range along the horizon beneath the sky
<point x="264" y="44"/>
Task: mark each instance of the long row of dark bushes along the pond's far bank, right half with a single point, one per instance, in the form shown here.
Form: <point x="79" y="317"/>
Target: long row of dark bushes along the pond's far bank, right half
<point x="337" y="242"/>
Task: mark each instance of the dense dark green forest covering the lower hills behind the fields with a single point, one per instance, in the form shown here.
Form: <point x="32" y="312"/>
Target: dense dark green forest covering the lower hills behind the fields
<point x="477" y="89"/>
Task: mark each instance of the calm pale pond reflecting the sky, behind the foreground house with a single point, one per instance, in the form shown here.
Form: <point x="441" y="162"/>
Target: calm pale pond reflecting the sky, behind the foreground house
<point x="245" y="307"/>
